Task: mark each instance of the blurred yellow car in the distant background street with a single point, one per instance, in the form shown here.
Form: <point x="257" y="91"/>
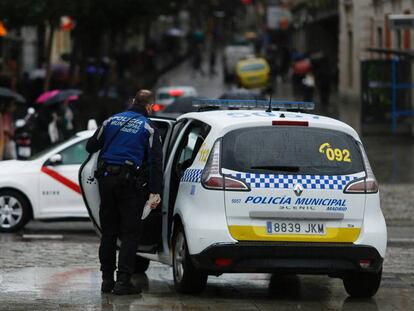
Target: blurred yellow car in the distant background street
<point x="253" y="73"/>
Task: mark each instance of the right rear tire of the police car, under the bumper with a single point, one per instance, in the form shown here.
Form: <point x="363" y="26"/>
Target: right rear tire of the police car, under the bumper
<point x="363" y="284"/>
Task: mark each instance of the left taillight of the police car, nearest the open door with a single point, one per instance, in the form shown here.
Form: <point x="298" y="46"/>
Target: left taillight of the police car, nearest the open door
<point x="213" y="179"/>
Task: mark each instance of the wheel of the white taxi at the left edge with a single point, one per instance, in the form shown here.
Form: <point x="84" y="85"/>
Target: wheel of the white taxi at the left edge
<point x="14" y="211"/>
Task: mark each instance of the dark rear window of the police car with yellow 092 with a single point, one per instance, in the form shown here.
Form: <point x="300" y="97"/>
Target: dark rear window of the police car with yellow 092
<point x="291" y="150"/>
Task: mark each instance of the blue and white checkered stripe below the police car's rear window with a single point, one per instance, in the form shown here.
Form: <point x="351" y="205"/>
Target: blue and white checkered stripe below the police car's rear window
<point x="328" y="182"/>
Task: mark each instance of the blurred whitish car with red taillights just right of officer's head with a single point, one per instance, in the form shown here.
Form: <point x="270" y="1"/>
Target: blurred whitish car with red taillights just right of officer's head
<point x="165" y="96"/>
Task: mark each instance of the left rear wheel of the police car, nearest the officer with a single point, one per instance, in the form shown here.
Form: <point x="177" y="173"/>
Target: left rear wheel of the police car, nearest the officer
<point x="187" y="279"/>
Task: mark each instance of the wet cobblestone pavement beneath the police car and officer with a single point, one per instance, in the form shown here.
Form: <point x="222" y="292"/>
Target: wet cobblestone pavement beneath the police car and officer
<point x="64" y="275"/>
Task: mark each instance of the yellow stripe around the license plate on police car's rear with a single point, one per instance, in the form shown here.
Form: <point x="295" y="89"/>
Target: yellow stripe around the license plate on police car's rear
<point x="251" y="233"/>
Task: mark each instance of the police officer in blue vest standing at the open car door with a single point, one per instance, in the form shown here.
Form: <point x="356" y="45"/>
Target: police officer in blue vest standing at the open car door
<point x="129" y="171"/>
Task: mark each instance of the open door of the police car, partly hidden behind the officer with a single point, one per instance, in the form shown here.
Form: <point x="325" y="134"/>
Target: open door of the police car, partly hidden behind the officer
<point x="152" y="225"/>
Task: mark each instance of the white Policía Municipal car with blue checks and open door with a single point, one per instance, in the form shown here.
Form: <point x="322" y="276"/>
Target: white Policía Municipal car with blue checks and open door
<point x="261" y="191"/>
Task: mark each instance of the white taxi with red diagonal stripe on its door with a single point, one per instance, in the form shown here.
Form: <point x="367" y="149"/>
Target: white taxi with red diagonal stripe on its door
<point x="44" y="186"/>
